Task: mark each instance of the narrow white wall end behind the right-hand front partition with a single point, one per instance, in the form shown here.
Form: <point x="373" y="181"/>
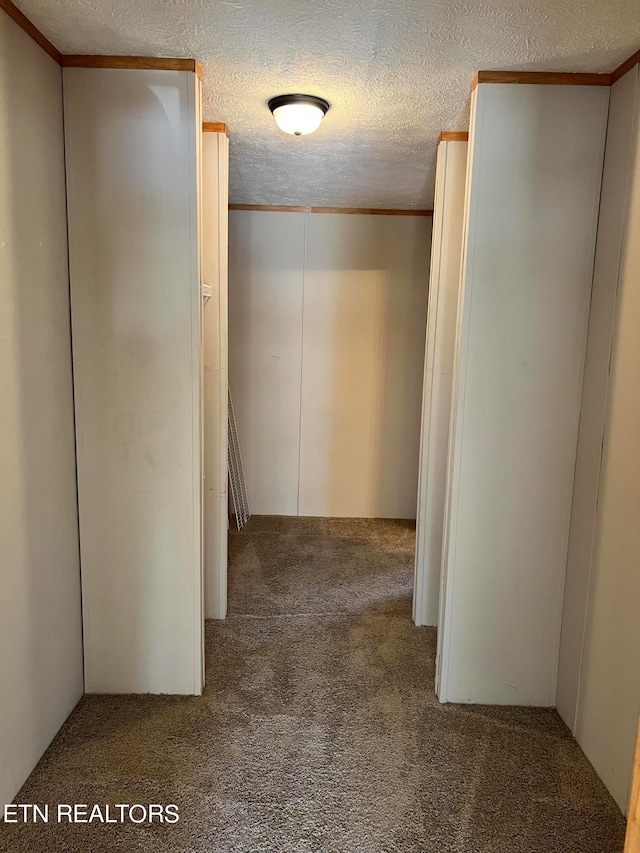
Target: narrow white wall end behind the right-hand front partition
<point x="444" y="288"/>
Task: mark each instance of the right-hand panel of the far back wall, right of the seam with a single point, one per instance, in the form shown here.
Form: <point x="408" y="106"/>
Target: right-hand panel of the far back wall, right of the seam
<point x="365" y="304"/>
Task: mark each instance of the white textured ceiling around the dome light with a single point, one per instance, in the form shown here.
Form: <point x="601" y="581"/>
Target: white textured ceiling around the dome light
<point x="395" y="71"/>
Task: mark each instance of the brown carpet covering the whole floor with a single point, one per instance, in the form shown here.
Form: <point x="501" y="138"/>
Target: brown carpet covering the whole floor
<point x="319" y="729"/>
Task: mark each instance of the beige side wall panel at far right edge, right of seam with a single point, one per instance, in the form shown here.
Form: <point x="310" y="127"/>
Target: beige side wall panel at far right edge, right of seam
<point x="599" y="673"/>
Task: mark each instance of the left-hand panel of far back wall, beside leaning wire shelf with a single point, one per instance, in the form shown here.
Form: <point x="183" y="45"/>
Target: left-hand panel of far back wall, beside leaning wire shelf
<point x="266" y="259"/>
